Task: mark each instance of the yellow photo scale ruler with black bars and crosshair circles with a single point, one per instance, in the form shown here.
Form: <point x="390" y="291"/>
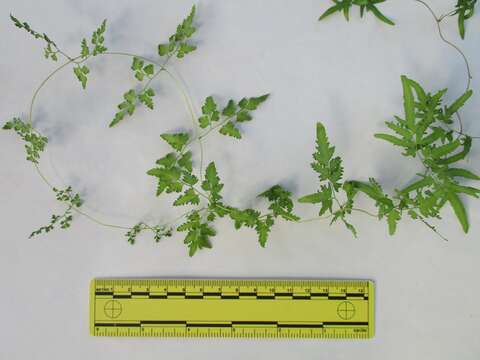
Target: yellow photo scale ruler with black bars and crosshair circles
<point x="339" y="309"/>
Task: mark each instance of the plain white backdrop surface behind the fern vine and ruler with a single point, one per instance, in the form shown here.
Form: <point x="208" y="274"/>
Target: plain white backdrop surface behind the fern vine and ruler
<point x="346" y="75"/>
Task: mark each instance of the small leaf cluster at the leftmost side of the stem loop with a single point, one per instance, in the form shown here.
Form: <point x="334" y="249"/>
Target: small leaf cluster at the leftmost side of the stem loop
<point x="34" y="142"/>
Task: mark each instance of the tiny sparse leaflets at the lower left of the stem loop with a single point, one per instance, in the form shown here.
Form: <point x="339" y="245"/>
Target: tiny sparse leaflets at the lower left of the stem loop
<point x="72" y="200"/>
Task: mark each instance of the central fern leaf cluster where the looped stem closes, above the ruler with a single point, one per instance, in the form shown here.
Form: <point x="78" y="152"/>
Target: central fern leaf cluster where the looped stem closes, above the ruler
<point x="174" y="174"/>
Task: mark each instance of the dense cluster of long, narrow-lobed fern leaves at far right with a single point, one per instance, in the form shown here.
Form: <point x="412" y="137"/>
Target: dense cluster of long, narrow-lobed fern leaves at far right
<point x="425" y="132"/>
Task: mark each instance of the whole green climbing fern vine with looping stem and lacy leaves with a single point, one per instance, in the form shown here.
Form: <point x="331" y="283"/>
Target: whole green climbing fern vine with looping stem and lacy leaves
<point x="424" y="132"/>
